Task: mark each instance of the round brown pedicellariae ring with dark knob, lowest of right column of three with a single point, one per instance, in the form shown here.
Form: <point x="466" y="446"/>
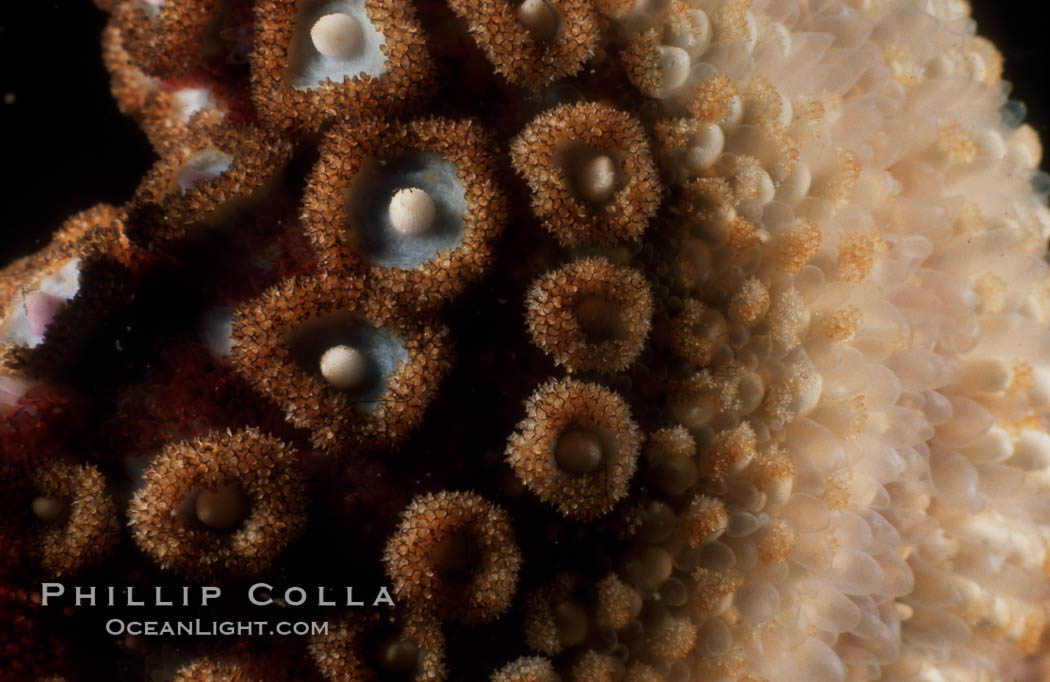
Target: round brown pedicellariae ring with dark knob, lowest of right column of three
<point x="577" y="447"/>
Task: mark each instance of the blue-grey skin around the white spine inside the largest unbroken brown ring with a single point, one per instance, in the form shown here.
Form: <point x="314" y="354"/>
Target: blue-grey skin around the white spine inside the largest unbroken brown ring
<point x="368" y="206"/>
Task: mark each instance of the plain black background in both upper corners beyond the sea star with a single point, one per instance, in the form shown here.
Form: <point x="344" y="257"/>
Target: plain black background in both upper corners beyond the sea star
<point x="66" y="146"/>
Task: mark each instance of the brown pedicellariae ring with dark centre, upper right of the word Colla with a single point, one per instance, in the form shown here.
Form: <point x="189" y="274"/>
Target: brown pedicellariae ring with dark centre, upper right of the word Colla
<point x="454" y="556"/>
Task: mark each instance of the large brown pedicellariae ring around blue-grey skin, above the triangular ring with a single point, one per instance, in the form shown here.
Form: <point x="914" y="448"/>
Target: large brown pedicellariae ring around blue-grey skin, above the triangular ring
<point x="354" y="155"/>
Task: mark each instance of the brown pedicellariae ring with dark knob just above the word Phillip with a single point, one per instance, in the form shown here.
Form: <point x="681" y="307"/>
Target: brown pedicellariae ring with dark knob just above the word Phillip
<point x="205" y="540"/>
